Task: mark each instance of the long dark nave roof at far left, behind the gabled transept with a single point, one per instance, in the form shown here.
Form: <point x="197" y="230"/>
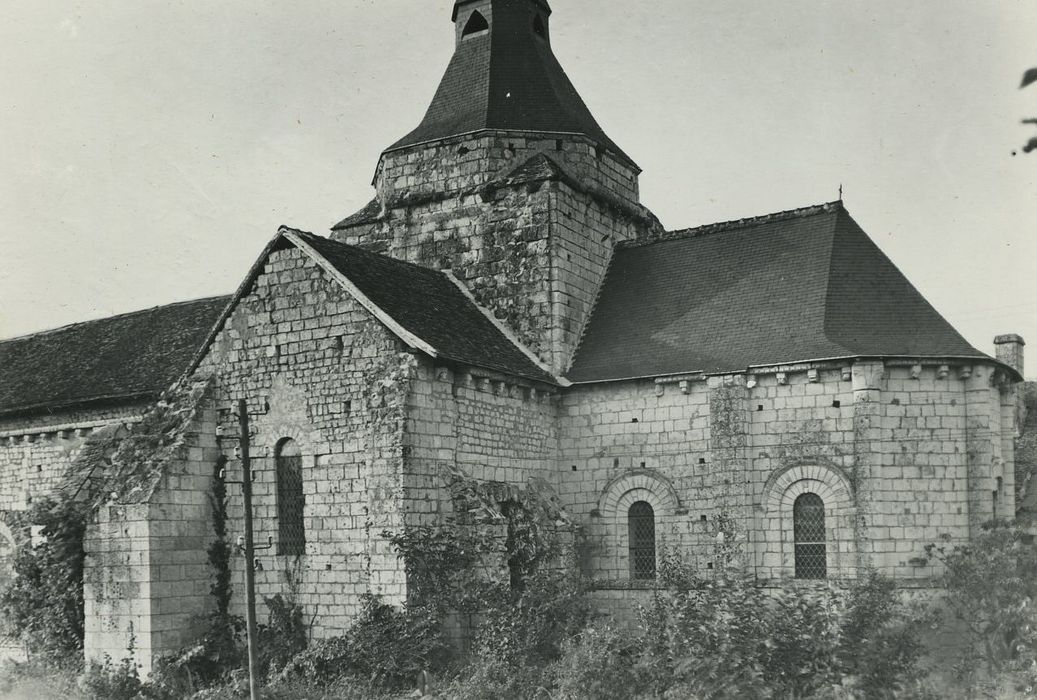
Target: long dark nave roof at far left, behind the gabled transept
<point x="130" y="357"/>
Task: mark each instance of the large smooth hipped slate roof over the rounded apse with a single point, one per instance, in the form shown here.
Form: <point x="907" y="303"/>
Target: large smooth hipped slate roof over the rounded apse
<point x="799" y="286"/>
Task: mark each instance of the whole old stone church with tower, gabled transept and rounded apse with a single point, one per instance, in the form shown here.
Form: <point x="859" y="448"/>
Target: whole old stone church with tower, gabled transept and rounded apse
<point x="506" y="309"/>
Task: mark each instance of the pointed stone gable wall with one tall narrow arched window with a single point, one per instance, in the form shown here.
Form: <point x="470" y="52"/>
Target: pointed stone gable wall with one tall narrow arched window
<point x="317" y="369"/>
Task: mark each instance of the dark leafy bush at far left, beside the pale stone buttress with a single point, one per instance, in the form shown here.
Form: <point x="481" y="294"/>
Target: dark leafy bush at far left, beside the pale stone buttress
<point x="43" y="604"/>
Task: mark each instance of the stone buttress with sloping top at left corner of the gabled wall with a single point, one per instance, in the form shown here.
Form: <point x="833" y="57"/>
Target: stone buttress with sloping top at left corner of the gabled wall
<point x="147" y="575"/>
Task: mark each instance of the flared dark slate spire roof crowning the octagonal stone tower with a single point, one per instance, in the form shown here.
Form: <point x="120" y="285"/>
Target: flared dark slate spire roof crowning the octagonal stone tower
<point x="508" y="79"/>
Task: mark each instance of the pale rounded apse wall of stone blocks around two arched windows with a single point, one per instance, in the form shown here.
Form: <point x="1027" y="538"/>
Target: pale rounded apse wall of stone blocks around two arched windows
<point x="903" y="455"/>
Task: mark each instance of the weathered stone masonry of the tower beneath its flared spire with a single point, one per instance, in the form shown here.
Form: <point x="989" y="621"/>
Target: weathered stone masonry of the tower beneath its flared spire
<point x="534" y="254"/>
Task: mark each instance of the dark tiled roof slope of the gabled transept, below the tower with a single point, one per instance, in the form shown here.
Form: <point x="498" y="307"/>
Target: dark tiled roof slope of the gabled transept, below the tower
<point x="430" y="305"/>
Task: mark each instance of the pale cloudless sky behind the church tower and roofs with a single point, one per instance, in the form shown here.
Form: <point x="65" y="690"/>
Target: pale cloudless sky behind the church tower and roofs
<point x="151" y="149"/>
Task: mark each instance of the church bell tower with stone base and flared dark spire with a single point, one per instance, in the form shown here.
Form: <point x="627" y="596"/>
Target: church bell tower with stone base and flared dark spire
<point x="509" y="181"/>
